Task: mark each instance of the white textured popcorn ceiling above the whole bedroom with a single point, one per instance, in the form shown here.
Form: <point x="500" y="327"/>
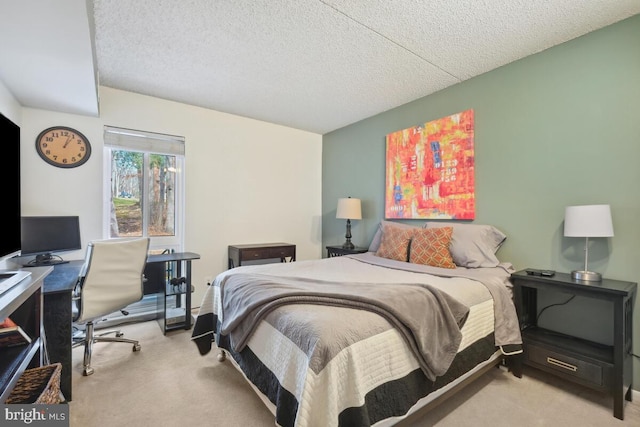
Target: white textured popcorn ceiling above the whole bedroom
<point x="316" y="65"/>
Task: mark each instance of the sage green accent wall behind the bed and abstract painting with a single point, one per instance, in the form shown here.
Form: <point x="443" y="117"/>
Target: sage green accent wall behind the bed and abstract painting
<point x="558" y="128"/>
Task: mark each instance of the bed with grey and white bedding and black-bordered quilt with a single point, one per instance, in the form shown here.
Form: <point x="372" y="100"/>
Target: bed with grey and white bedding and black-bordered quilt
<point x="364" y="339"/>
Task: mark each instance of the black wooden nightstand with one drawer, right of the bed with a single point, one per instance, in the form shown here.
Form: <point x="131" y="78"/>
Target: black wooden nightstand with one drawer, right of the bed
<point x="601" y="367"/>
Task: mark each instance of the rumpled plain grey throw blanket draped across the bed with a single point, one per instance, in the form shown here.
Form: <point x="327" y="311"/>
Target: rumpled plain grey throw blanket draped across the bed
<point x="428" y="319"/>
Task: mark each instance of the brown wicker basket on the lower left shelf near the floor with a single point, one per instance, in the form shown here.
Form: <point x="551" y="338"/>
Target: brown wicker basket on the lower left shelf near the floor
<point x="38" y="385"/>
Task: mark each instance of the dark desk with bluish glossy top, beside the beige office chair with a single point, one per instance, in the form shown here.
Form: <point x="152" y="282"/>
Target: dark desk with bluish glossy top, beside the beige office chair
<point x="57" y="318"/>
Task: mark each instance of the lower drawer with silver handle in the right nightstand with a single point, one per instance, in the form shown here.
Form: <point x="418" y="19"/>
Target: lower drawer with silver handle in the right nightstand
<point x="551" y="360"/>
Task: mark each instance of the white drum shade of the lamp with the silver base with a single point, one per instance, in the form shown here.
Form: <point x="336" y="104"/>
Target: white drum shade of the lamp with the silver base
<point x="588" y="221"/>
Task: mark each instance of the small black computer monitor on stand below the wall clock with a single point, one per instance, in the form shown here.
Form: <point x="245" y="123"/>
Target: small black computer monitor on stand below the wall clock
<point x="43" y="236"/>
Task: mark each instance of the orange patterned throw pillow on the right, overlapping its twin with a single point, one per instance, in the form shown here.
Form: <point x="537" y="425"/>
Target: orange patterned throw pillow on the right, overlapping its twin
<point x="432" y="248"/>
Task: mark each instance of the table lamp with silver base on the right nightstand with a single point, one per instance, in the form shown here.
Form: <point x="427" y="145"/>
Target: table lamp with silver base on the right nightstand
<point x="587" y="221"/>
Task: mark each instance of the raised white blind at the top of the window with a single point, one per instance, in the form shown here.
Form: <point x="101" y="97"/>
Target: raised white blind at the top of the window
<point x="129" y="139"/>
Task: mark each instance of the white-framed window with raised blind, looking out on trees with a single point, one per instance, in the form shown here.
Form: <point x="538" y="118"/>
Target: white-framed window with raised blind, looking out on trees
<point x="145" y="192"/>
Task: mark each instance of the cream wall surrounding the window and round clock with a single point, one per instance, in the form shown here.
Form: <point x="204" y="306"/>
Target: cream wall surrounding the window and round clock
<point x="247" y="181"/>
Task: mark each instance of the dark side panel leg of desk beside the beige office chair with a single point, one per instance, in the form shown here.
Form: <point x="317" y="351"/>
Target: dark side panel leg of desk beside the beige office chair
<point x="58" y="329"/>
